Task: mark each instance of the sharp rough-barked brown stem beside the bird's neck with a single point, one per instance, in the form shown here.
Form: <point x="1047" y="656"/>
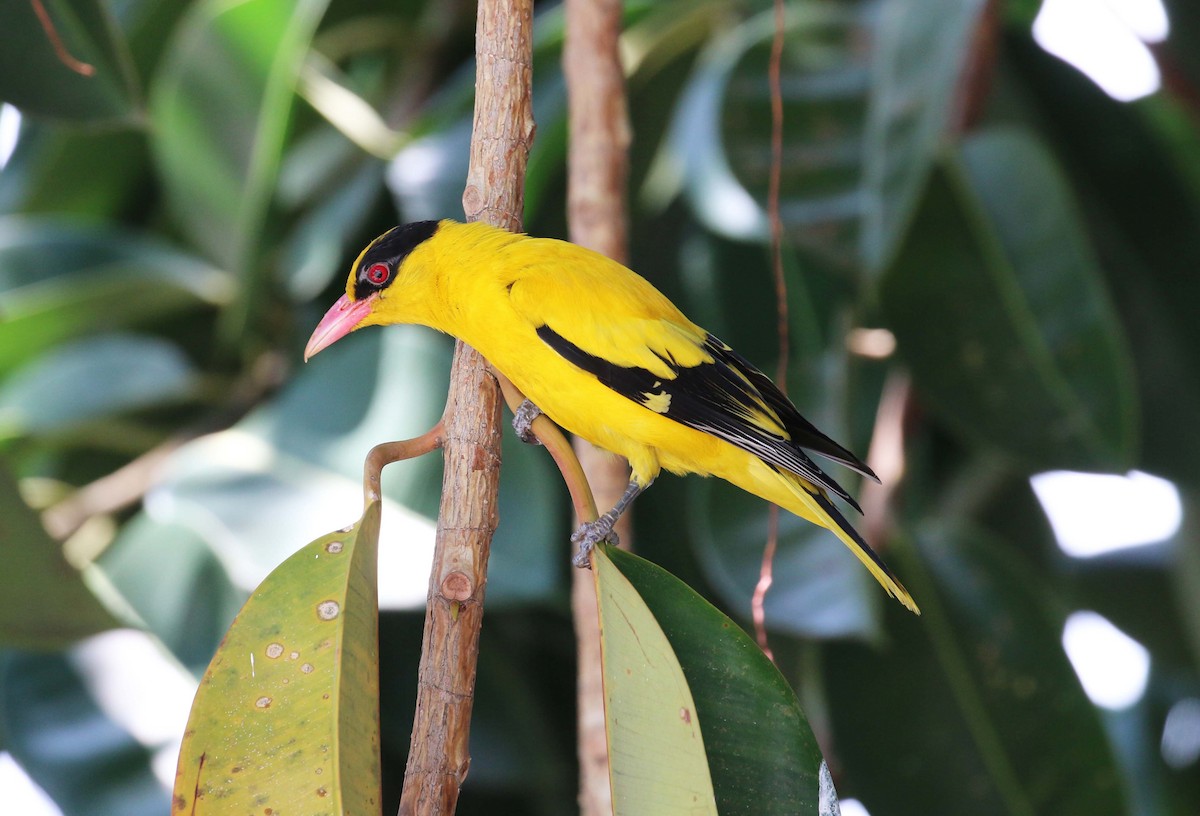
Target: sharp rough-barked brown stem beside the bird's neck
<point x="503" y="131"/>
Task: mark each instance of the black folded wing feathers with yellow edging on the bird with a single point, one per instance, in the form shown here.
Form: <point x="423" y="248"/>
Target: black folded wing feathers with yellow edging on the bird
<point x="728" y="398"/>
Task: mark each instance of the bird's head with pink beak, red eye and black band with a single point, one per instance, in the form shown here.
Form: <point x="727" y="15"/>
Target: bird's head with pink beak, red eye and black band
<point x="373" y="278"/>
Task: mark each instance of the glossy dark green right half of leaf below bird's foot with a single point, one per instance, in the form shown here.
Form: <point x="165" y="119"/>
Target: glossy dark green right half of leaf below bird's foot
<point x="761" y="753"/>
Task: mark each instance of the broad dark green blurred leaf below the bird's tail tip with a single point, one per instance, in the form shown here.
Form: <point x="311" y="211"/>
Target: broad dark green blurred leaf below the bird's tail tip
<point x="974" y="706"/>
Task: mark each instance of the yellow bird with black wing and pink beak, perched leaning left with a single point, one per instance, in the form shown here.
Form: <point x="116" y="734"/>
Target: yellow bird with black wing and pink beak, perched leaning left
<point x="607" y="357"/>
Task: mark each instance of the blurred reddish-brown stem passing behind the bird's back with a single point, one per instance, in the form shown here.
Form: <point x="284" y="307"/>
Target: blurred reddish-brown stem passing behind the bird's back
<point x="598" y="169"/>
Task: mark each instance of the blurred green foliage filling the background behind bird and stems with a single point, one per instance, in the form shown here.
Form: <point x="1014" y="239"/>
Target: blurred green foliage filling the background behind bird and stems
<point x="173" y="225"/>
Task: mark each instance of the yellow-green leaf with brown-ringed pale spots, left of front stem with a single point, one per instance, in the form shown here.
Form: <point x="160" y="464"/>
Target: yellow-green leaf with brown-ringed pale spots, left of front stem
<point x="287" y="717"/>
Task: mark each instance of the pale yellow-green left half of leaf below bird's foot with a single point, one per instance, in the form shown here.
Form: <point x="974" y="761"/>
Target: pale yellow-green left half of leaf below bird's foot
<point x="656" y="749"/>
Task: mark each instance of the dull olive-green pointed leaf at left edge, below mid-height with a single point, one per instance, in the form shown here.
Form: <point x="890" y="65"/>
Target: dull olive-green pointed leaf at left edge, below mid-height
<point x="45" y="603"/>
